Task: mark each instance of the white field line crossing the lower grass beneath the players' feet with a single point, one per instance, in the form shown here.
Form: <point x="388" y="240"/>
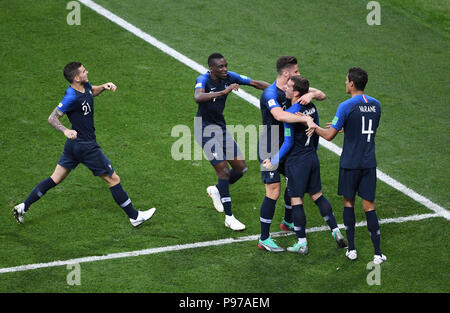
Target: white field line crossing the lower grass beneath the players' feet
<point x="219" y="242"/>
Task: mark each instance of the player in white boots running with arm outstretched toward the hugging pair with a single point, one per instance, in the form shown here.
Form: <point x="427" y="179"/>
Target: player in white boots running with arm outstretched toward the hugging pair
<point x="211" y="91"/>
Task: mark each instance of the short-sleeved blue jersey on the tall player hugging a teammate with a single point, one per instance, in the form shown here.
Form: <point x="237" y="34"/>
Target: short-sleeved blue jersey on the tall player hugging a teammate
<point x="272" y="97"/>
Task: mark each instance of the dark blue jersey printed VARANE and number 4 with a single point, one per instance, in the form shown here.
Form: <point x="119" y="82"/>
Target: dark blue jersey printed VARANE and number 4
<point x="360" y="116"/>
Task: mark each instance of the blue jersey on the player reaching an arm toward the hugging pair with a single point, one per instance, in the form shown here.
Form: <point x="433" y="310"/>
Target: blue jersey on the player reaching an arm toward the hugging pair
<point x="211" y="111"/>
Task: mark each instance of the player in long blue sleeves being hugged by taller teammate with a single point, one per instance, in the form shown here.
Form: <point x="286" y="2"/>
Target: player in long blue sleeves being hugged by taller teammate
<point x="302" y="167"/>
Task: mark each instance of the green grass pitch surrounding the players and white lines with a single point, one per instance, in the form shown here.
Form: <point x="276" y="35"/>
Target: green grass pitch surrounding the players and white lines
<point x="407" y="61"/>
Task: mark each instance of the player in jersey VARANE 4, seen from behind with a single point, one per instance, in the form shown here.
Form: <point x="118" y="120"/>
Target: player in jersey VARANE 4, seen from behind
<point x="359" y="116"/>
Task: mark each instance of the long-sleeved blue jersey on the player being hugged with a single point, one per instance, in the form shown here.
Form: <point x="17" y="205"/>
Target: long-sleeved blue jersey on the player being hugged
<point x="296" y="142"/>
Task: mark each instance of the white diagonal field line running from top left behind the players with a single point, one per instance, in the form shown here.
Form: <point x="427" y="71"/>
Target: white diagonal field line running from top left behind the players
<point x="254" y="101"/>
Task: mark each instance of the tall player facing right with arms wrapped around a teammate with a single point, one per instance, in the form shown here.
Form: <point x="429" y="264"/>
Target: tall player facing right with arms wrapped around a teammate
<point x="273" y="102"/>
